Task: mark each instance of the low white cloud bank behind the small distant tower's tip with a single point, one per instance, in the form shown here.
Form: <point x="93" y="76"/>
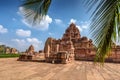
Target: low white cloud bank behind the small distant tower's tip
<point x="23" y="44"/>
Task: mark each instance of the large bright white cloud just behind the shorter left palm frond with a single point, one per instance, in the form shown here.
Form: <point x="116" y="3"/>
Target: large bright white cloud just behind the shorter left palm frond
<point x="39" y="25"/>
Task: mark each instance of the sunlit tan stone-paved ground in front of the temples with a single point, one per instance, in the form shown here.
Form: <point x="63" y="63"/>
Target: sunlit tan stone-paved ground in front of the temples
<point x="11" y="69"/>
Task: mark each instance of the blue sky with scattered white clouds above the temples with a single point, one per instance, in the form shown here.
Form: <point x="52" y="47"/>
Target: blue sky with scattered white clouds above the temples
<point x="16" y="32"/>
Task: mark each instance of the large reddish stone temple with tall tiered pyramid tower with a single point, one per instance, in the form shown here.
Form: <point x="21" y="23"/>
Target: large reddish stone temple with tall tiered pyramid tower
<point x="69" y="47"/>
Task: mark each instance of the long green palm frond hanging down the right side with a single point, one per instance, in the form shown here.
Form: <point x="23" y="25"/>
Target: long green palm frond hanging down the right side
<point x="105" y="25"/>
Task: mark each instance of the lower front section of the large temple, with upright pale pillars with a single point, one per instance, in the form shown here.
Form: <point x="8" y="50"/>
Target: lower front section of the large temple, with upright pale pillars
<point x="56" y="52"/>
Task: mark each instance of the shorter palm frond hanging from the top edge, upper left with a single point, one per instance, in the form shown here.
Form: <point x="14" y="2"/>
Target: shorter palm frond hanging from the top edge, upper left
<point x="35" y="10"/>
